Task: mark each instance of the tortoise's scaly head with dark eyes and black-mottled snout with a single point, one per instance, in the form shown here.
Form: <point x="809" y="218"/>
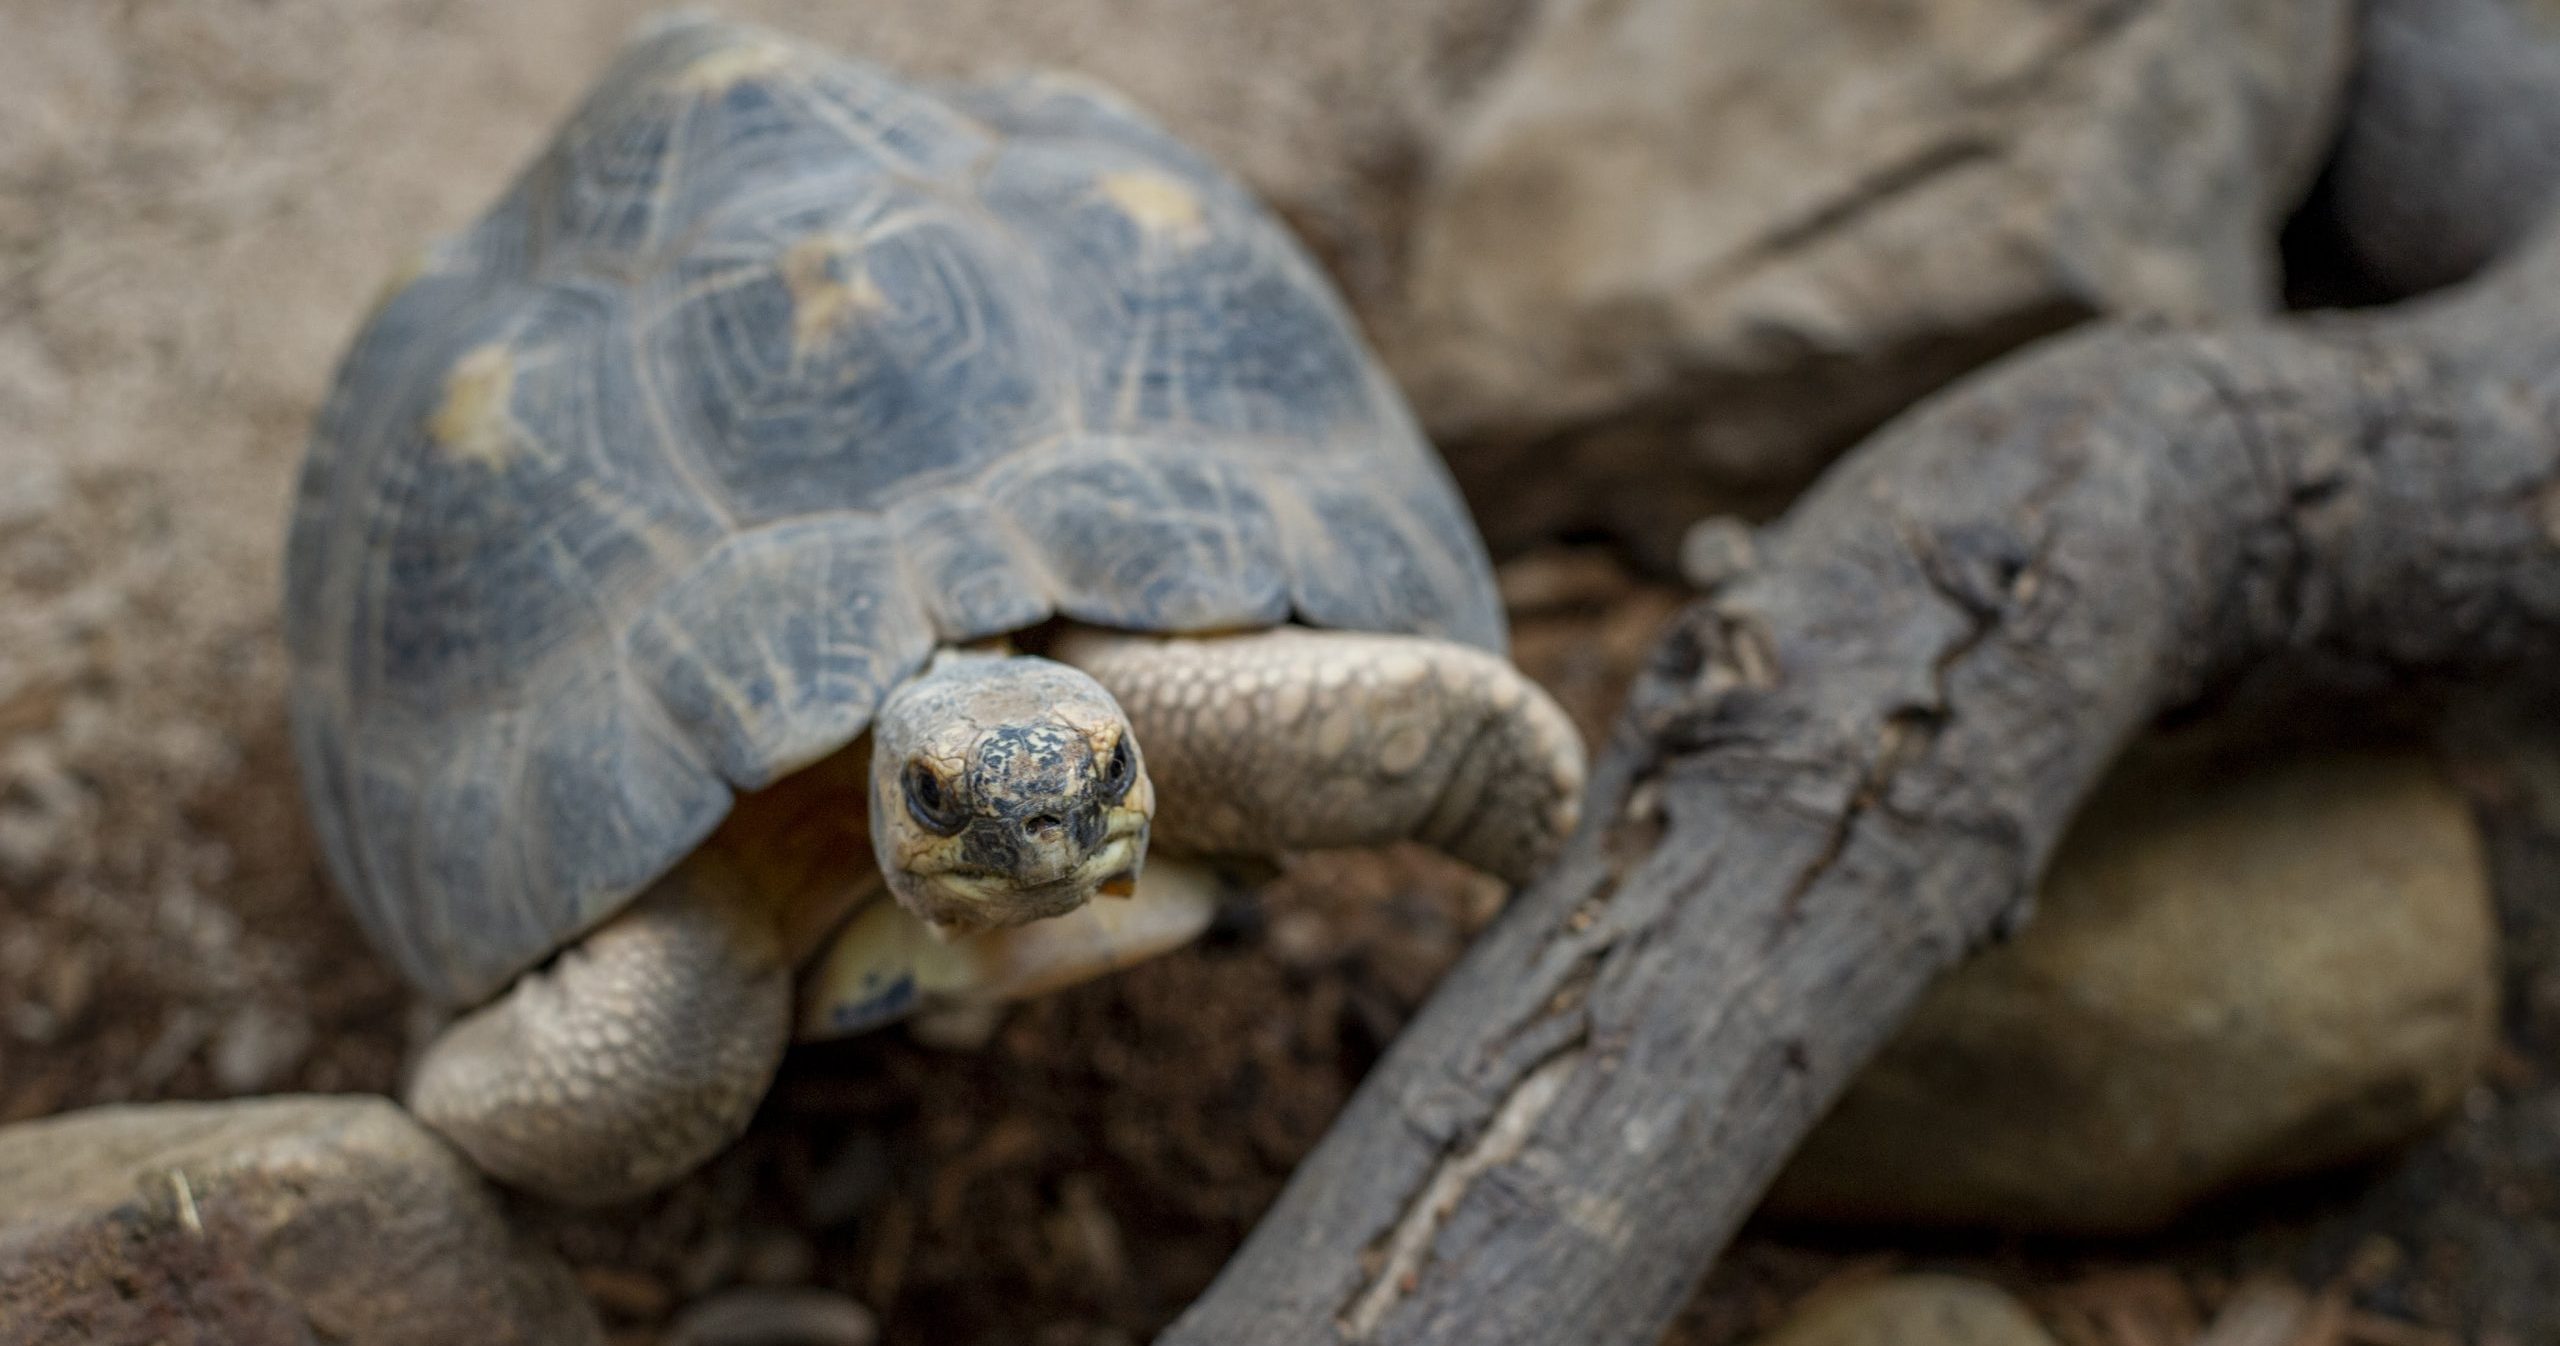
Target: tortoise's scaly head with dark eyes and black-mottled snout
<point x="1005" y="789"/>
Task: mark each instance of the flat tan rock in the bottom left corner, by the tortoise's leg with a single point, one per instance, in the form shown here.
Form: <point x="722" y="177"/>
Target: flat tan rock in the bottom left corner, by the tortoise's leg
<point x="285" y="1219"/>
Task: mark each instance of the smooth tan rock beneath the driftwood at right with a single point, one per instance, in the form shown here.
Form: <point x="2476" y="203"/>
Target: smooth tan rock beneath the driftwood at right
<point x="2234" y="976"/>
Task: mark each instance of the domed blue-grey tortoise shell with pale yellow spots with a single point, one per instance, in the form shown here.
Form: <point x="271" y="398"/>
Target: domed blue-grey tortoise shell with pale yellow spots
<point x="764" y="380"/>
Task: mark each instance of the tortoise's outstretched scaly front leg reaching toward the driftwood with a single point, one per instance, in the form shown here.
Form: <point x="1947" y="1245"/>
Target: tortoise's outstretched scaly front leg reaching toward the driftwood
<point x="1302" y="741"/>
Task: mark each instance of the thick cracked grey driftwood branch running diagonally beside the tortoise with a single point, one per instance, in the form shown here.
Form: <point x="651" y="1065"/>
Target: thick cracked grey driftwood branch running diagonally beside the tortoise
<point x="1852" y="759"/>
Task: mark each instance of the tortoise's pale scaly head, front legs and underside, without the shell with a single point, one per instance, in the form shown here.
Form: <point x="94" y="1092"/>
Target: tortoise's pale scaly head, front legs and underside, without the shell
<point x="649" y="1045"/>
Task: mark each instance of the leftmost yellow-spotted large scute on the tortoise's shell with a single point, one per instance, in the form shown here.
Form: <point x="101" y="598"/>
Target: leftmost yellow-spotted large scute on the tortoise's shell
<point x="480" y="572"/>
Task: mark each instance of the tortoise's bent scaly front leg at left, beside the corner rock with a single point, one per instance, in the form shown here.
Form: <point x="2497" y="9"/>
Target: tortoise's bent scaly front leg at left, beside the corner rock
<point x="626" y="1063"/>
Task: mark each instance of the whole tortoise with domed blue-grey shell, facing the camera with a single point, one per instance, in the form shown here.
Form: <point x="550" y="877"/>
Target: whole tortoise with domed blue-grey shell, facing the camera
<point x="810" y="485"/>
